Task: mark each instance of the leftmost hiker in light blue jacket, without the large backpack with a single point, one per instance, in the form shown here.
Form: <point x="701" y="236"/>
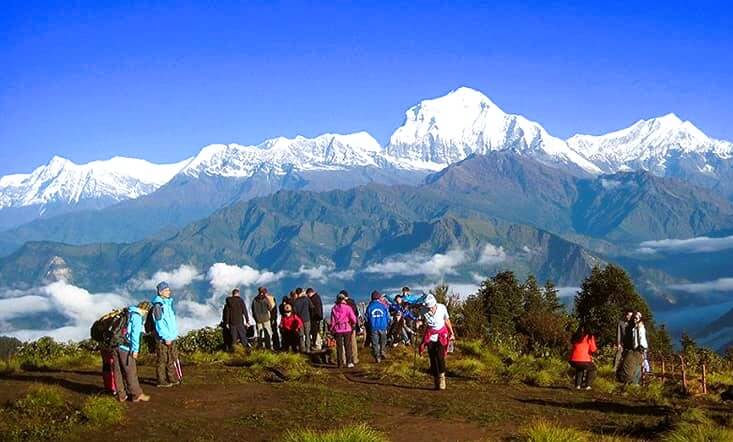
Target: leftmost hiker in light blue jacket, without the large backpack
<point x="125" y="356"/>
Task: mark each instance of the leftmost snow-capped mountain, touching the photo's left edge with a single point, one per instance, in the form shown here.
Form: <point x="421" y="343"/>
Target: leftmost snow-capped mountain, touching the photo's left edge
<point x="62" y="181"/>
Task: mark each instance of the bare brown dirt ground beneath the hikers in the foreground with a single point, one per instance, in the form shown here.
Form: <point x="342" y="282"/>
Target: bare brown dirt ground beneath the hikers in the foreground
<point x="216" y="404"/>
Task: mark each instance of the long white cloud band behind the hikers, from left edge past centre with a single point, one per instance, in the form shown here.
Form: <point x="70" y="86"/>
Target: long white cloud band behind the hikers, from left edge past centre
<point x="67" y="311"/>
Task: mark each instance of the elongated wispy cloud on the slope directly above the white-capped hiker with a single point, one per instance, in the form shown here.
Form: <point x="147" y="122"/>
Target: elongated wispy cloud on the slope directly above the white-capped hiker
<point x="416" y="264"/>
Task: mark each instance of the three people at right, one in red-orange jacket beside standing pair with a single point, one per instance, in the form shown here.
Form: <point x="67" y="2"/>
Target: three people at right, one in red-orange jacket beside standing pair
<point x="631" y="352"/>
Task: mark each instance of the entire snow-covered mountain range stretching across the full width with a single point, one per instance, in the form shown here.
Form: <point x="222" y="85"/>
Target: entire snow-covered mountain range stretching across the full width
<point x="436" y="133"/>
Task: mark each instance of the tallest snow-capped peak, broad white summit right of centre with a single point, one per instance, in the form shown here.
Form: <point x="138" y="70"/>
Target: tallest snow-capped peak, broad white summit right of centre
<point x="443" y="130"/>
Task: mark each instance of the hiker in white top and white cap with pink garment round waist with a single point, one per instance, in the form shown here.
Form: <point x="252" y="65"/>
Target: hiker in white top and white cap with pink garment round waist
<point x="437" y="336"/>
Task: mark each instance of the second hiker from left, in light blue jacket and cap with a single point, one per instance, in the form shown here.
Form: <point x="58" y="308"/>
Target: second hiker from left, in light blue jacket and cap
<point x="165" y="334"/>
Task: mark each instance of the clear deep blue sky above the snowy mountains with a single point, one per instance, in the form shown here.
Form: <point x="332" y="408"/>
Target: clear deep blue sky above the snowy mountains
<point x="90" y="80"/>
